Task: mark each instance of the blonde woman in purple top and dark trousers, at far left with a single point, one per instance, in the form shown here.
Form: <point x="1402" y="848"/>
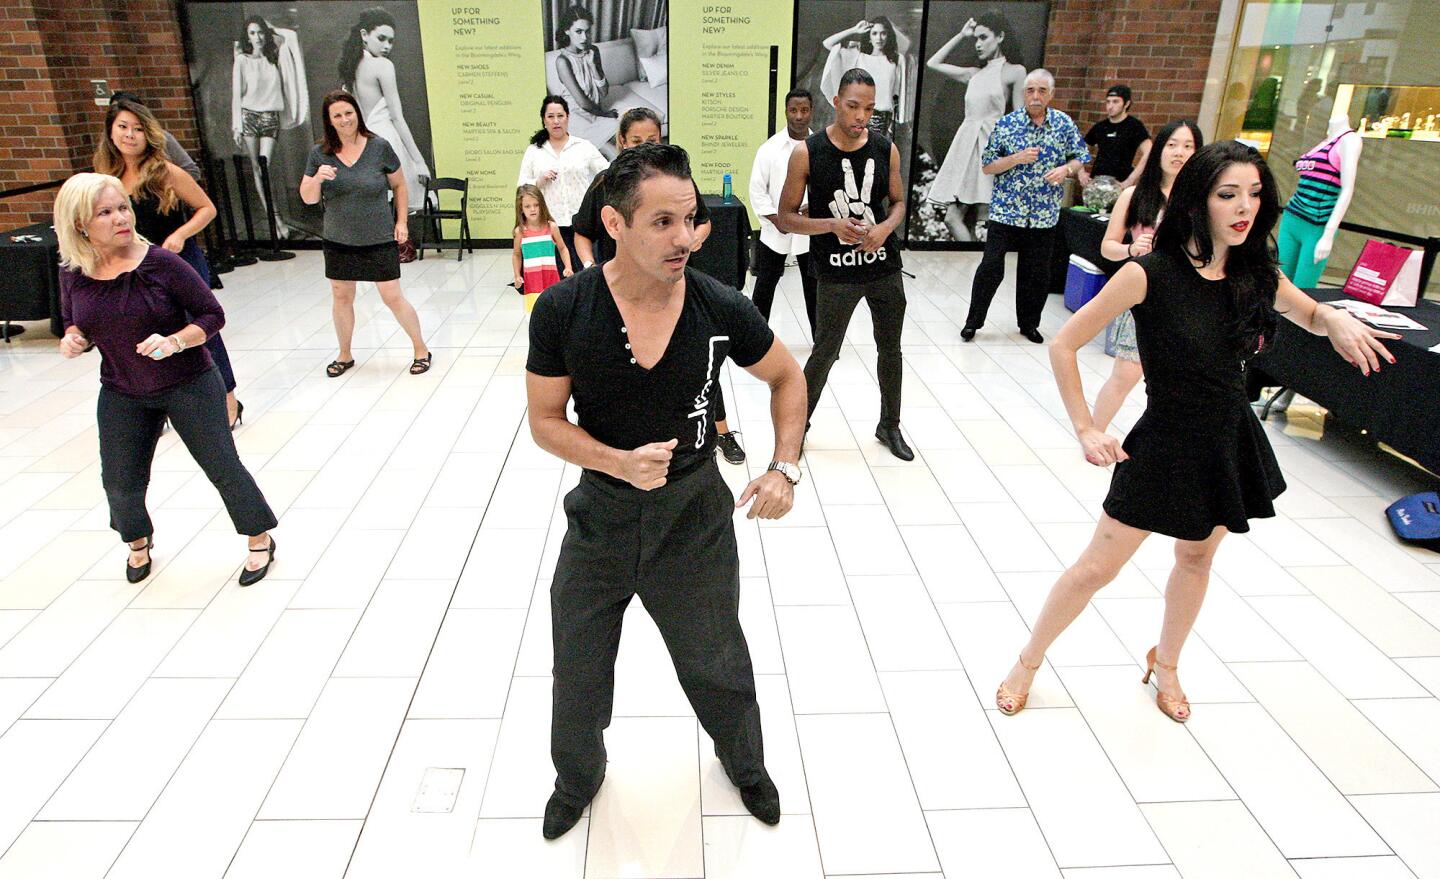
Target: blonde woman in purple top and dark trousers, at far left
<point x="149" y="315"/>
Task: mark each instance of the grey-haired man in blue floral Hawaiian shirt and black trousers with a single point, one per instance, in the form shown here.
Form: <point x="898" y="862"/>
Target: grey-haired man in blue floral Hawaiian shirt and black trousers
<point x="1030" y="155"/>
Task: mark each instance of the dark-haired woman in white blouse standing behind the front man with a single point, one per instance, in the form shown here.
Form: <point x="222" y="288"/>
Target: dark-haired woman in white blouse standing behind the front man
<point x="562" y="166"/>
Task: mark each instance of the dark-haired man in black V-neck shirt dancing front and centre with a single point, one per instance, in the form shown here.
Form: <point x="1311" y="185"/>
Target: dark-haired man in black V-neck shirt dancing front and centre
<point x="639" y="344"/>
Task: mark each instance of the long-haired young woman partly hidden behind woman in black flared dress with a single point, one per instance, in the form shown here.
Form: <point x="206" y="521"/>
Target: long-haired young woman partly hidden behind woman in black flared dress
<point x="1133" y="234"/>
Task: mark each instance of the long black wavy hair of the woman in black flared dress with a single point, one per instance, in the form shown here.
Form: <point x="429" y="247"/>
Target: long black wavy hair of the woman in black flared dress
<point x="1251" y="267"/>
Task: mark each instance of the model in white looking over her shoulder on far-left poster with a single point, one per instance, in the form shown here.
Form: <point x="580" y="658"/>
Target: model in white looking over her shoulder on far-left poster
<point x="368" y="73"/>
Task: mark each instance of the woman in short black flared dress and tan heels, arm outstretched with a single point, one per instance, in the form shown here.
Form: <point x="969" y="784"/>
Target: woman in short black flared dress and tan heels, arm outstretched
<point x="1197" y="465"/>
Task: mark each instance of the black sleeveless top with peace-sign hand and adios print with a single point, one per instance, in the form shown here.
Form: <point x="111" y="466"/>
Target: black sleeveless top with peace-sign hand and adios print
<point x="855" y="184"/>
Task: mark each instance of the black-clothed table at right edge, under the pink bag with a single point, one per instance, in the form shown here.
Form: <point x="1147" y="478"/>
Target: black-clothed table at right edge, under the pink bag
<point x="1398" y="404"/>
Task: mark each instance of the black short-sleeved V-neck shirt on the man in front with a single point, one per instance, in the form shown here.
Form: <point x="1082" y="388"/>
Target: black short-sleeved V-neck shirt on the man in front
<point x="577" y="331"/>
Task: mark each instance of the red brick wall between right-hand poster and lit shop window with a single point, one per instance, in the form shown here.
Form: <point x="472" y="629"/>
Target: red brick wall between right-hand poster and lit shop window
<point x="1160" y="48"/>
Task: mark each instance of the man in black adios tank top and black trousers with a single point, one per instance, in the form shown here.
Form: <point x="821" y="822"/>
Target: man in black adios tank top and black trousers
<point x="852" y="179"/>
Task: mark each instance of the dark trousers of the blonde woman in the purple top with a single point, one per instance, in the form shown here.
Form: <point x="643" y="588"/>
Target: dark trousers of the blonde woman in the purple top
<point x="129" y="432"/>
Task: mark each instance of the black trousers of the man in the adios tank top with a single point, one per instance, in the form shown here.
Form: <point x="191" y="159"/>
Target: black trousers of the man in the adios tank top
<point x="836" y="305"/>
